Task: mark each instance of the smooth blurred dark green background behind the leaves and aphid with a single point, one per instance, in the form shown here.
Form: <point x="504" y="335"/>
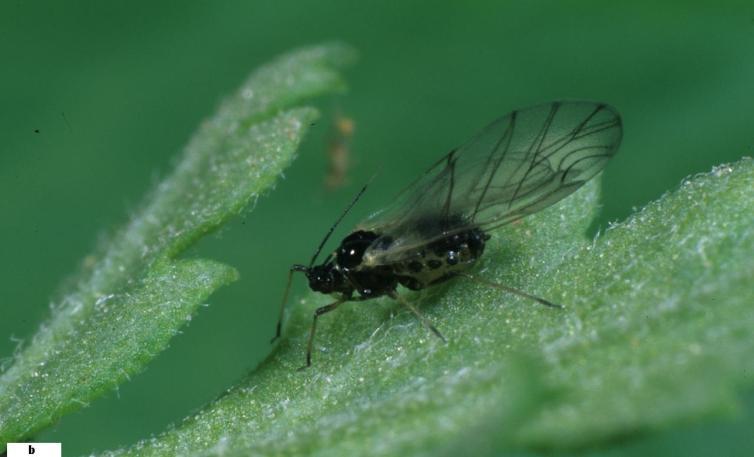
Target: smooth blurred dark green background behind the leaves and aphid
<point x="98" y="98"/>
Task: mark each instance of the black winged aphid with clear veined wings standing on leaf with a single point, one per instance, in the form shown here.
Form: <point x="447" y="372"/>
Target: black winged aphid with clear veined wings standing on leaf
<point x="436" y="229"/>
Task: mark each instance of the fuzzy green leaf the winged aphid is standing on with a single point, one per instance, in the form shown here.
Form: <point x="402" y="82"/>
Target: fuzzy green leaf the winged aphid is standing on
<point x="656" y="331"/>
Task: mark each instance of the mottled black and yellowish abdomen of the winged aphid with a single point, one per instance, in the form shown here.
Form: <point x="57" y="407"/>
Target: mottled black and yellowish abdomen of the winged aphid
<point x="441" y="259"/>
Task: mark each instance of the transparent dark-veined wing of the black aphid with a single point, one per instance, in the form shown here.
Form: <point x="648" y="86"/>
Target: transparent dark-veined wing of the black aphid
<point x="519" y="164"/>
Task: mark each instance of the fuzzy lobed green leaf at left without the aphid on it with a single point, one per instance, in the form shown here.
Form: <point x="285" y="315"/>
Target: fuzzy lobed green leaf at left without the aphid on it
<point x="133" y="295"/>
